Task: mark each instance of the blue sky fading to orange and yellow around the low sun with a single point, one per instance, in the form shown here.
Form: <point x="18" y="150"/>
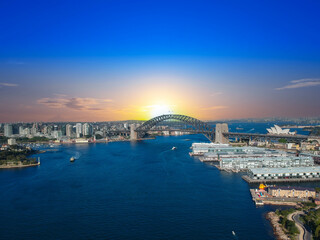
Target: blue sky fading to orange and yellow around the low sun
<point x="120" y="60"/>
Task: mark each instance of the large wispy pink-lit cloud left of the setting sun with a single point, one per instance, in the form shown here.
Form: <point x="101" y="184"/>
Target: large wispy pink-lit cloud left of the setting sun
<point x="75" y="103"/>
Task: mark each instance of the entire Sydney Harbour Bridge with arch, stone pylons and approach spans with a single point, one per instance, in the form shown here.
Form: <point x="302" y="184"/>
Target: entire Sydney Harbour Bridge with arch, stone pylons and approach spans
<point x="218" y="133"/>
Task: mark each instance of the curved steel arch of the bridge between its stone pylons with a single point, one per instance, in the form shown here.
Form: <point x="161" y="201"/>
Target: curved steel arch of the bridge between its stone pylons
<point x="200" y="126"/>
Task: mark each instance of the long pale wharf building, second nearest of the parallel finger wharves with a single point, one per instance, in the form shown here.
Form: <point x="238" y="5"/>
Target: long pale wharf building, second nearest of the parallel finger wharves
<point x="244" y="163"/>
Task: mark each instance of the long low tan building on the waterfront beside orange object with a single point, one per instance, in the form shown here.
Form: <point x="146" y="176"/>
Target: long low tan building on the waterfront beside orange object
<point x="292" y="192"/>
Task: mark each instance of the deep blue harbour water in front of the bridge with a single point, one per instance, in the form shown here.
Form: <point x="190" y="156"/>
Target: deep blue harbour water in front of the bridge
<point x="126" y="190"/>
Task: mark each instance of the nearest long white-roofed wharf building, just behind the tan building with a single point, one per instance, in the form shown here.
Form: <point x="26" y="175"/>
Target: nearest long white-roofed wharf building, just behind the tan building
<point x="289" y="174"/>
